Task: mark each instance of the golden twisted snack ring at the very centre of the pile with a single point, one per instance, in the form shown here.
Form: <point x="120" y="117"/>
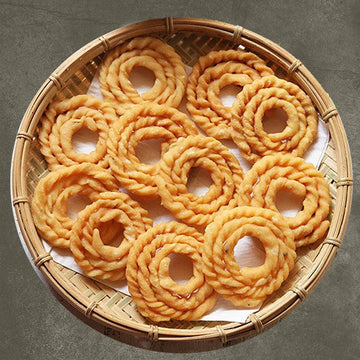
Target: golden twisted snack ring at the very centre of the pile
<point x="211" y="155"/>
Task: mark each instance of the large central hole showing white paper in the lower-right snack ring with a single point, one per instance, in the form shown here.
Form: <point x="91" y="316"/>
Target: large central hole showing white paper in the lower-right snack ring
<point x="249" y="251"/>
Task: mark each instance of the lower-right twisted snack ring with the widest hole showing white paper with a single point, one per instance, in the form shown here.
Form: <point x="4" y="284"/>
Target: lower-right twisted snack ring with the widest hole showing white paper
<point x="247" y="286"/>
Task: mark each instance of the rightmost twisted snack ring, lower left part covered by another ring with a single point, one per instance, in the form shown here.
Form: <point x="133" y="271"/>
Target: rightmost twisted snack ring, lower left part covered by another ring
<point x="285" y="171"/>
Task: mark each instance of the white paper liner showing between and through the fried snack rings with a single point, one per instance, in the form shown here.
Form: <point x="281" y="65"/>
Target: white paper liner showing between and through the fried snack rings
<point x="247" y="252"/>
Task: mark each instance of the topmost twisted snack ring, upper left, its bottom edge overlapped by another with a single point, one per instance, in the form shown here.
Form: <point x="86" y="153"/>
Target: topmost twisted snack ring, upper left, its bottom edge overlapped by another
<point x="153" y="54"/>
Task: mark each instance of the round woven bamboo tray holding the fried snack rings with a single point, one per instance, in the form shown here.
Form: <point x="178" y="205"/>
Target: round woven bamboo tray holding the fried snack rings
<point x="114" y="313"/>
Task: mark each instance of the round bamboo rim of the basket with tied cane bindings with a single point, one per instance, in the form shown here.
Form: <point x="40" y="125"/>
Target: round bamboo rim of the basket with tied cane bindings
<point x="253" y="42"/>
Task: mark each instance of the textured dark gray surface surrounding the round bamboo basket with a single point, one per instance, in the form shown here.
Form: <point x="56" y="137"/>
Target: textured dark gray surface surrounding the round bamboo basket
<point x="36" y="36"/>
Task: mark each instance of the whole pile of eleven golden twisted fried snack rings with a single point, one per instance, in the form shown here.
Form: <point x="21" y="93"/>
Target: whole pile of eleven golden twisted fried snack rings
<point x="160" y="209"/>
